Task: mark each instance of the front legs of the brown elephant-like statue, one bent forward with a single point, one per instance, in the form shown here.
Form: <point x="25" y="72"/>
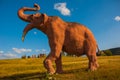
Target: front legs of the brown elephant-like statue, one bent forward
<point x="53" y="56"/>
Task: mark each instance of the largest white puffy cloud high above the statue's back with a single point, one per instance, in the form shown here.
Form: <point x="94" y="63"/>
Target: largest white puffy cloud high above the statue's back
<point x="62" y="8"/>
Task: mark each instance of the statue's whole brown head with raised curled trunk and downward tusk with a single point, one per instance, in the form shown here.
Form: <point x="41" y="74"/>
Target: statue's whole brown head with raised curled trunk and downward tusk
<point x="36" y="20"/>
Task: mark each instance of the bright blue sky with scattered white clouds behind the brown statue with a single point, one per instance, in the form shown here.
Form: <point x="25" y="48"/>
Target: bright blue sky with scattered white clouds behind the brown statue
<point x="102" y="17"/>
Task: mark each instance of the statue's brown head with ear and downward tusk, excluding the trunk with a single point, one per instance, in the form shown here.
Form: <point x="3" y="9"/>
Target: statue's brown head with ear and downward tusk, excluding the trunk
<point x="38" y="21"/>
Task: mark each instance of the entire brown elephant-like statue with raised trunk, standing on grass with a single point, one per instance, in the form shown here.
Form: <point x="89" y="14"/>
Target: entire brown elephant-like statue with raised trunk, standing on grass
<point x="69" y="37"/>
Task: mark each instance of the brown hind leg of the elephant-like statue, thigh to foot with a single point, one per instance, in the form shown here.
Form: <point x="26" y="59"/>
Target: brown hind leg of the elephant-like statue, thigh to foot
<point x="90" y="50"/>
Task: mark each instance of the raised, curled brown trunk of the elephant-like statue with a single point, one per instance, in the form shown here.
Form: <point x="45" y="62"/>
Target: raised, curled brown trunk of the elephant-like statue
<point x="27" y="17"/>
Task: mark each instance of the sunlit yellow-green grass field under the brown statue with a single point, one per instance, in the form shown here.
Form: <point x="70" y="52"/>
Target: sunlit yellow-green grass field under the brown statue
<point x="74" y="69"/>
